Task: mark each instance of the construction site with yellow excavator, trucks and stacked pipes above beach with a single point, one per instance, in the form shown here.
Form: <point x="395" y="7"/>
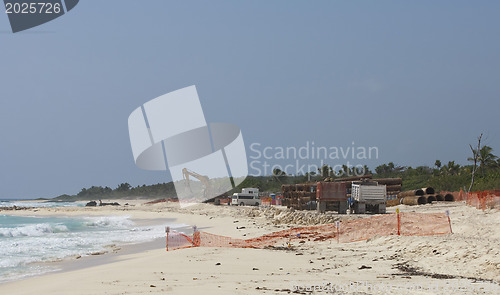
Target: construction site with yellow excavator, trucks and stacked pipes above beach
<point x="350" y="195"/>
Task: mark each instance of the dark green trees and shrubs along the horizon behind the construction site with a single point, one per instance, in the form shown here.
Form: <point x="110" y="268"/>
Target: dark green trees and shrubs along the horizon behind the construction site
<point x="449" y="177"/>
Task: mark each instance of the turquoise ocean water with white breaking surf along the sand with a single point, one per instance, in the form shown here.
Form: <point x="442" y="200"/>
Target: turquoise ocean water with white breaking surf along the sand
<point x="27" y="241"/>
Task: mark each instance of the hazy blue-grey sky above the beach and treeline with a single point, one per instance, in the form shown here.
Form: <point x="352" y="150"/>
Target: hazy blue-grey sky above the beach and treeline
<point x="418" y="80"/>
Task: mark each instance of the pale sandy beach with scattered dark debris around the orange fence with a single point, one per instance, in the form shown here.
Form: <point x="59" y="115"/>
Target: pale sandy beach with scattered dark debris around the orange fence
<point x="466" y="262"/>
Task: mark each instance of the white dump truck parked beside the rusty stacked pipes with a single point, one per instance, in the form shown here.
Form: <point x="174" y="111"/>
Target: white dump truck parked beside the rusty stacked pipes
<point x="368" y="196"/>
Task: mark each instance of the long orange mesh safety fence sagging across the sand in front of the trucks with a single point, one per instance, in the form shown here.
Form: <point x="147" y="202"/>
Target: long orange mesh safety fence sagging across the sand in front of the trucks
<point x="407" y="224"/>
